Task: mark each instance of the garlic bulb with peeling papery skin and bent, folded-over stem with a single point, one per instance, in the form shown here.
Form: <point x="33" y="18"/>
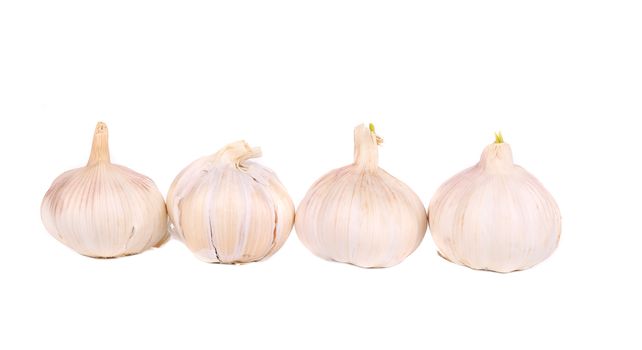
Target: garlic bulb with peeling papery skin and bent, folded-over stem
<point x="228" y="209"/>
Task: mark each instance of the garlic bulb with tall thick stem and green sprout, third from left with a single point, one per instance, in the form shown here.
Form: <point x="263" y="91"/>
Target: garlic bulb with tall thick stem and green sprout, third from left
<point x="359" y="214"/>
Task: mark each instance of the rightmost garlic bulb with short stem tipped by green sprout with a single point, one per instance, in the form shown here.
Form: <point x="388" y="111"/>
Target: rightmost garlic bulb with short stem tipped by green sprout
<point x="494" y="216"/>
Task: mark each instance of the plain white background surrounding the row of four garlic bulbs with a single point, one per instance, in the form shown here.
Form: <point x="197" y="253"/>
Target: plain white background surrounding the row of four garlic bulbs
<point x="176" y="81"/>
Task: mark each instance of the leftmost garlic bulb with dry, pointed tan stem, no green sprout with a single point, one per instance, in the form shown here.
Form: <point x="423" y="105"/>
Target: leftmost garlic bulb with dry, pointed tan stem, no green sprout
<point x="105" y="210"/>
